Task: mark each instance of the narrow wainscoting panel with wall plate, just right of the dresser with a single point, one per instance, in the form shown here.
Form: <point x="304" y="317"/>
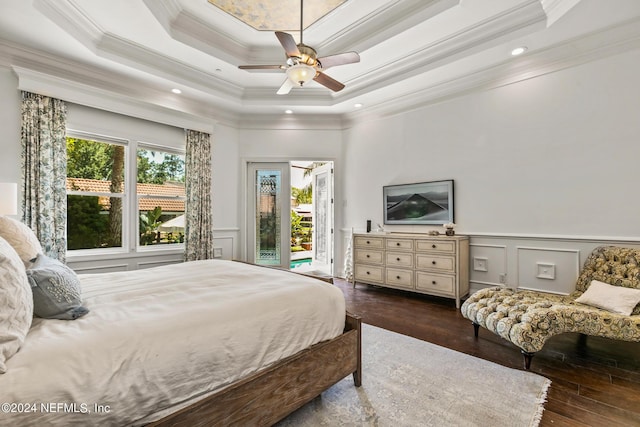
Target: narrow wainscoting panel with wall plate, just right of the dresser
<point x="487" y="265"/>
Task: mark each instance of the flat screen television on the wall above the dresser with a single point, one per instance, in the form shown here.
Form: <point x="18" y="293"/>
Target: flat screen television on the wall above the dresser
<point x="419" y="203"/>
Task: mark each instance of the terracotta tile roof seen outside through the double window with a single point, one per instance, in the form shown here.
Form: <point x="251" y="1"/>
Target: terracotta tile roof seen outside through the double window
<point x="145" y="204"/>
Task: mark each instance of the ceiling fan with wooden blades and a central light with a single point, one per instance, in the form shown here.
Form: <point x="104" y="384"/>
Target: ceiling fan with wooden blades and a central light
<point x="303" y="64"/>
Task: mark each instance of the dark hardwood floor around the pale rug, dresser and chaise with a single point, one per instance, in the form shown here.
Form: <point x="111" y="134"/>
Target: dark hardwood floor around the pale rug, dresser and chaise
<point x="595" y="381"/>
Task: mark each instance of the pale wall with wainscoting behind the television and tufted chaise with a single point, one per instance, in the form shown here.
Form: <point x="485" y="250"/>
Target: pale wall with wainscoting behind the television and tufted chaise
<point x="545" y="160"/>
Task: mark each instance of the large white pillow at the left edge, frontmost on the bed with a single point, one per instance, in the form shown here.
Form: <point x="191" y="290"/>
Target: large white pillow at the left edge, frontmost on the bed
<point x="16" y="303"/>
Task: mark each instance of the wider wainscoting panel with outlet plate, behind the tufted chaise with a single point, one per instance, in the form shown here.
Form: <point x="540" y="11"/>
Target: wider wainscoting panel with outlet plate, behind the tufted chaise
<point x="548" y="269"/>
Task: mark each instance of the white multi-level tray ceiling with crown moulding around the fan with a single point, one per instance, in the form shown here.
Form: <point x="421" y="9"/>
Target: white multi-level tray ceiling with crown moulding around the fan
<point x="412" y="51"/>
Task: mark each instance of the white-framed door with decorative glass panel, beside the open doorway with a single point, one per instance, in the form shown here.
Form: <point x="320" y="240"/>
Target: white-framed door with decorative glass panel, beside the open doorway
<point x="269" y="214"/>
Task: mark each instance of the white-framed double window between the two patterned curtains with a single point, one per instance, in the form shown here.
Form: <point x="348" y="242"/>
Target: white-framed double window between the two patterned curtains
<point x="112" y="200"/>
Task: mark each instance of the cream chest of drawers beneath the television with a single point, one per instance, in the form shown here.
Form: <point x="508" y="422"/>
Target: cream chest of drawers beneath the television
<point x="436" y="265"/>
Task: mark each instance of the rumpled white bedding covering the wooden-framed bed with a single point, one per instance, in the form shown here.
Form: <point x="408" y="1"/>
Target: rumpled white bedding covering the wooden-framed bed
<point x="161" y="337"/>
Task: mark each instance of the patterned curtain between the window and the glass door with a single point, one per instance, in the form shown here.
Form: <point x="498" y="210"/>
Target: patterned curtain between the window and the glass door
<point x="198" y="228"/>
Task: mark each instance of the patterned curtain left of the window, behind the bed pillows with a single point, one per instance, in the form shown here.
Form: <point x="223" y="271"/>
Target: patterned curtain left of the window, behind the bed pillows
<point x="44" y="170"/>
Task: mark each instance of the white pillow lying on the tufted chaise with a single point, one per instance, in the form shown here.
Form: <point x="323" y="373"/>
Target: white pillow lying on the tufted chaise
<point x="617" y="299"/>
